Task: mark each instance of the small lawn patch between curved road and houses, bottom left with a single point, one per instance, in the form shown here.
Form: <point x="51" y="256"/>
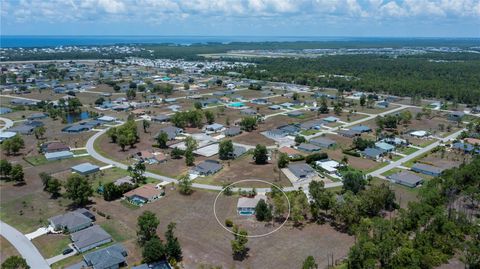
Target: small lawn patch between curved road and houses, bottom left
<point x="51" y="245"/>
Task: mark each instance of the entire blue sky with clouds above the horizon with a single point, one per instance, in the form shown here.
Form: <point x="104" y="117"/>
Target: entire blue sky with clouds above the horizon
<point x="353" y="18"/>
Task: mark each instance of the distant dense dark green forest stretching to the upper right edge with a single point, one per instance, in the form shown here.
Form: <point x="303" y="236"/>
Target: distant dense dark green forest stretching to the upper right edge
<point x="452" y="76"/>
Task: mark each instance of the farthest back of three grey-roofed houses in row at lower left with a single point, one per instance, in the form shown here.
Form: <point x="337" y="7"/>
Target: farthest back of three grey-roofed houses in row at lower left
<point x="71" y="221"/>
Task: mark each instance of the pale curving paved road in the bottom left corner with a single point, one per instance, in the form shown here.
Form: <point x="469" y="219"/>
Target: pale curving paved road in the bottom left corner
<point x="24" y="246"/>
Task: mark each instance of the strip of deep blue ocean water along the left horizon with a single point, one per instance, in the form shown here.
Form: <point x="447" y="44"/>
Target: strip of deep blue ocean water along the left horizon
<point x="12" y="41"/>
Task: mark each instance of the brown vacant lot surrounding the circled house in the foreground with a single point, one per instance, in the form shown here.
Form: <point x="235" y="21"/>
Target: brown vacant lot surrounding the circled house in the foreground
<point x="204" y="241"/>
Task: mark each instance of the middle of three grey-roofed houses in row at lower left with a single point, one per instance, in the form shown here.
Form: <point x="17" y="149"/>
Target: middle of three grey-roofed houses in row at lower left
<point x="89" y="238"/>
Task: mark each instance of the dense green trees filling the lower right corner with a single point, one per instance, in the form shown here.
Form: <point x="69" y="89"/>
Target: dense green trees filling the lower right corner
<point x="442" y="224"/>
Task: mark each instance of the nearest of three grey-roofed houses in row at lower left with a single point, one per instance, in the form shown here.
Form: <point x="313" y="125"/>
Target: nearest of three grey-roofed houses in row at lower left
<point x="111" y="257"/>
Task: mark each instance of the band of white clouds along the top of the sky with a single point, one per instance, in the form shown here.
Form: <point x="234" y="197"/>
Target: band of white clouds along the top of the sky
<point x="293" y="10"/>
